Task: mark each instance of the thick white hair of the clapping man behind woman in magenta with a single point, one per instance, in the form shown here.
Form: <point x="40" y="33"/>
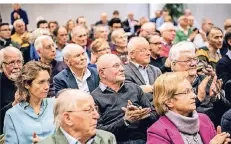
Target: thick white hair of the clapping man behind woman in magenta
<point x="179" y="48"/>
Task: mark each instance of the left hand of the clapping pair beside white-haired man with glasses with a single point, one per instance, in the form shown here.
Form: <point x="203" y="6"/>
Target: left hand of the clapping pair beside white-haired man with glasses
<point x="202" y="88"/>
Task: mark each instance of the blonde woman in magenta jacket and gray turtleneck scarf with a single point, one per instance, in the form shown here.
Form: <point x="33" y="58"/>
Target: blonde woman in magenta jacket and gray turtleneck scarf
<point x="179" y="122"/>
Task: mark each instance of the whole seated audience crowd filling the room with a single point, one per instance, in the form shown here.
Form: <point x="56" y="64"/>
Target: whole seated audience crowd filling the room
<point x="119" y="81"/>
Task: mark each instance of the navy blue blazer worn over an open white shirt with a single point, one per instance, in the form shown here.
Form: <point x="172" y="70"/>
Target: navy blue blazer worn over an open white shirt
<point x="65" y="79"/>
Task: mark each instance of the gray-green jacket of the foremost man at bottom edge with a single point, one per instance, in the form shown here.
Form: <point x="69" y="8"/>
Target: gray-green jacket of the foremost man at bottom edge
<point x="102" y="137"/>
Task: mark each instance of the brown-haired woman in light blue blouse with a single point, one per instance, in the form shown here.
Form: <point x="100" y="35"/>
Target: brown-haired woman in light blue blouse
<point x="32" y="117"/>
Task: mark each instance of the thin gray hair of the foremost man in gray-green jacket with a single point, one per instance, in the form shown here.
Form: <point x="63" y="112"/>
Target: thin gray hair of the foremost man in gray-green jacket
<point x="67" y="100"/>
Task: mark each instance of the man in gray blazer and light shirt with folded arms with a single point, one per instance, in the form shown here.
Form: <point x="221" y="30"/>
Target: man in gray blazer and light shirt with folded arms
<point x="138" y="70"/>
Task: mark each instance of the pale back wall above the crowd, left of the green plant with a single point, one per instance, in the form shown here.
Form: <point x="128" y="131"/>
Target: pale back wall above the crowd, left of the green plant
<point x="63" y="12"/>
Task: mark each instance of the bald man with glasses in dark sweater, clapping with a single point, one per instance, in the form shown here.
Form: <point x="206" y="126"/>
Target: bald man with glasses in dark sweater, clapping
<point x="113" y="94"/>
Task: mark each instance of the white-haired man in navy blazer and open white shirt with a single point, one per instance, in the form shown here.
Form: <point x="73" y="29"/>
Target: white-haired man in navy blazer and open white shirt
<point x="77" y="75"/>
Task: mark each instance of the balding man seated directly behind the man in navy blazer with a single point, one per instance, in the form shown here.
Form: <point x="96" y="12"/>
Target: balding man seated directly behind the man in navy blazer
<point x="79" y="36"/>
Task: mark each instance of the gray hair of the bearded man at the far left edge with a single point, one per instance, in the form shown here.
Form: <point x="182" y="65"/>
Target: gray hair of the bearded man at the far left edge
<point x="11" y="50"/>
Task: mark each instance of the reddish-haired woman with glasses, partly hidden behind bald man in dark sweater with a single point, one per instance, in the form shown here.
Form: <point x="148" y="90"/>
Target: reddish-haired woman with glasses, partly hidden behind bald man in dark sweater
<point x="99" y="47"/>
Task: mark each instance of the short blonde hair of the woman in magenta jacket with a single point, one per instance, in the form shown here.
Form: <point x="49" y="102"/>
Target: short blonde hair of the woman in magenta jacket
<point x="164" y="88"/>
